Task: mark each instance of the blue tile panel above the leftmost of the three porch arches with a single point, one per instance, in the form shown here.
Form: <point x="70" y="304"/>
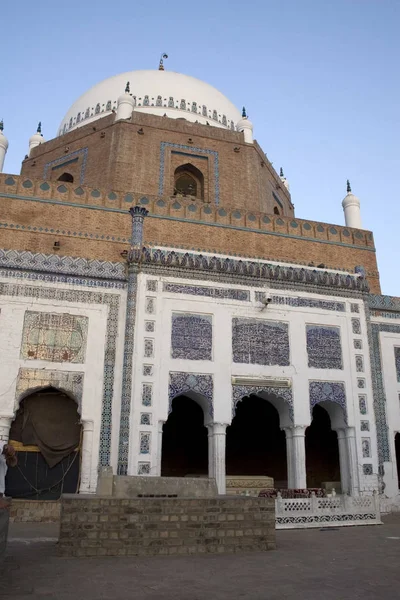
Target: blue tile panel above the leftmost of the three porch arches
<point x="191" y="336"/>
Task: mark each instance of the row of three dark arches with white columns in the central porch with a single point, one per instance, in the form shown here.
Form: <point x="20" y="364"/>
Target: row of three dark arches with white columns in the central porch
<point x="255" y="444"/>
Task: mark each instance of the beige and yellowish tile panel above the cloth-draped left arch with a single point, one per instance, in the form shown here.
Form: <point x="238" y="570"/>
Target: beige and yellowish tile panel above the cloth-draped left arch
<point x="54" y="337"/>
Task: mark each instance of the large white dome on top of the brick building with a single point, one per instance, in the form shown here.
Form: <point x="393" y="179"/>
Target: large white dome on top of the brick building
<point x="158" y="93"/>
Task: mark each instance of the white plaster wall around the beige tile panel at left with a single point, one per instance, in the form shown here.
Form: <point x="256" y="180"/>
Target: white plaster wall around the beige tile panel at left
<point x="12" y="311"/>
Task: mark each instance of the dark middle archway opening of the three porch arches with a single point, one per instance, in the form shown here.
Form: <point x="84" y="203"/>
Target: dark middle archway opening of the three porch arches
<point x="255" y="444"/>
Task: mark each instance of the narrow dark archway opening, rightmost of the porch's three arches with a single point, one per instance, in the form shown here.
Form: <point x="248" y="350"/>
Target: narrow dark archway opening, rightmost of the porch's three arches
<point x="322" y="450"/>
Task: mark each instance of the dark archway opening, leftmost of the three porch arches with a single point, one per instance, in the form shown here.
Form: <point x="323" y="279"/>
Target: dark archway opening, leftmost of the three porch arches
<point x="184" y="441"/>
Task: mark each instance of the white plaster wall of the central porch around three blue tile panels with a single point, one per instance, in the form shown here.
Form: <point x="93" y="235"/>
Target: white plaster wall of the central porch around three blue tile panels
<point x="222" y="368"/>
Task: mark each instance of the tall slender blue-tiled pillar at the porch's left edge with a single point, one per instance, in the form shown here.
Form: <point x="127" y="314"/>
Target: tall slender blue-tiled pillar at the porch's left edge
<point x="138" y="214"/>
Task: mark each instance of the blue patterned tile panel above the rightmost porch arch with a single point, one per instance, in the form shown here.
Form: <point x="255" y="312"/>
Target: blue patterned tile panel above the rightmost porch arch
<point x="324" y="347"/>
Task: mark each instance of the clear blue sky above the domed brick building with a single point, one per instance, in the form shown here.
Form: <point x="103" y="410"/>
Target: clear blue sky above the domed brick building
<point x="319" y="79"/>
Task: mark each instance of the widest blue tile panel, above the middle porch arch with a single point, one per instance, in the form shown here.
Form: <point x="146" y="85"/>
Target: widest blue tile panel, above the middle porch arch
<point x="260" y="342"/>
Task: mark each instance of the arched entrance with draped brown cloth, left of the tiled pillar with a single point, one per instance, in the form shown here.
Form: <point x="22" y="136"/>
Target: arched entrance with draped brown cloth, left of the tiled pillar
<point x="46" y="434"/>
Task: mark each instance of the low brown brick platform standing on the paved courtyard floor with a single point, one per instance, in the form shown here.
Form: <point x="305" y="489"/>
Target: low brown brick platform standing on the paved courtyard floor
<point x="106" y="526"/>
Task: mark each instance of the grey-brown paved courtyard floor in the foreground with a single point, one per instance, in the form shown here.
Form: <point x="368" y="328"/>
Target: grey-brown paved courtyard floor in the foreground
<point x="334" y="564"/>
